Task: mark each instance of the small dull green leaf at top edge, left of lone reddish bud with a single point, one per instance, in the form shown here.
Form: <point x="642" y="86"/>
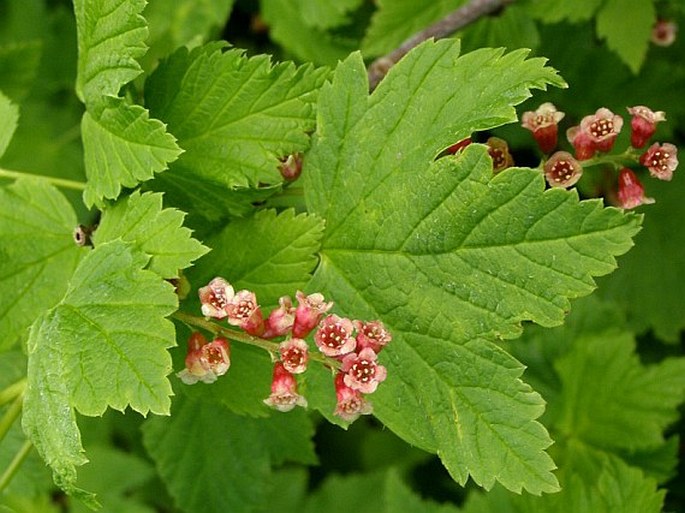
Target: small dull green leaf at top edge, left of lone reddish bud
<point x="629" y="35"/>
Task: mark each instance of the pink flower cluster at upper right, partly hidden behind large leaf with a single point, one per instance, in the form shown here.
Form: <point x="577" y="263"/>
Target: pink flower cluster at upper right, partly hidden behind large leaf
<point x="592" y="140"/>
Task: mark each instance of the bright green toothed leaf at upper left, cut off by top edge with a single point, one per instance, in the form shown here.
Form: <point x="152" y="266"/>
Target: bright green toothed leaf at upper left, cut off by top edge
<point x="111" y="36"/>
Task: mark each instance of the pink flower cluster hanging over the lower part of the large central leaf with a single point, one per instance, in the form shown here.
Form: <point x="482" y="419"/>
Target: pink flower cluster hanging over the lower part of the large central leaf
<point x="349" y="347"/>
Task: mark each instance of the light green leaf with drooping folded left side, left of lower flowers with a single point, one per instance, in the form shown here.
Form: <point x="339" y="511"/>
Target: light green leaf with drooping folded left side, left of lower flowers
<point x="105" y="344"/>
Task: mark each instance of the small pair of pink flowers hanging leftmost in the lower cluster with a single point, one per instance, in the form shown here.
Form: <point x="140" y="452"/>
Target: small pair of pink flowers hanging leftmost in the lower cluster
<point x="205" y="361"/>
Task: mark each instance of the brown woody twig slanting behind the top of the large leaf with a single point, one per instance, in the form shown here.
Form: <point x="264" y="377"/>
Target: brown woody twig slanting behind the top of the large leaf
<point x="448" y="25"/>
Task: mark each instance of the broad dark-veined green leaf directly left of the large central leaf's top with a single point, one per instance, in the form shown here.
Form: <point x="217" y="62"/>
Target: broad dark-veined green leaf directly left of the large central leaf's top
<point x="234" y="116"/>
